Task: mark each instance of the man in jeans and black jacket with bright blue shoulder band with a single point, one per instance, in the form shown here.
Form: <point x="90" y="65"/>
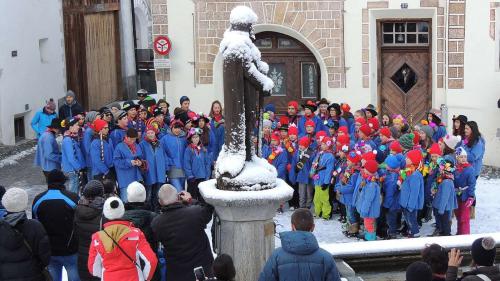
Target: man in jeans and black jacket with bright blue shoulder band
<point x="55" y="209"/>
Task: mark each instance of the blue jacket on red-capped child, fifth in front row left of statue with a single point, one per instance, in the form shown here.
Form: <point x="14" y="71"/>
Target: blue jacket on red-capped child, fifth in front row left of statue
<point x="98" y="165"/>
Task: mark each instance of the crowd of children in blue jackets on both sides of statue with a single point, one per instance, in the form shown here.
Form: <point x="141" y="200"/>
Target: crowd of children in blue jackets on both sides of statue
<point x="374" y="171"/>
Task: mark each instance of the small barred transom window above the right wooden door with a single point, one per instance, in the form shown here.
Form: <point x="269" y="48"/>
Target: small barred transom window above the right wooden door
<point x="405" y="34"/>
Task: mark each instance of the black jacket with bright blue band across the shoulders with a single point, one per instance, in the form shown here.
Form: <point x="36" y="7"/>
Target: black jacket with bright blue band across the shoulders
<point x="55" y="209"/>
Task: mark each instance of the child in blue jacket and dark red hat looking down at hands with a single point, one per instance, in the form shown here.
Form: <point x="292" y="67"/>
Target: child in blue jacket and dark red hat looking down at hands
<point x="127" y="161"/>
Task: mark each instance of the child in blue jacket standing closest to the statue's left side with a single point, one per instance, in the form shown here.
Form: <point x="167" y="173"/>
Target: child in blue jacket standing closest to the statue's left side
<point x="197" y="162"/>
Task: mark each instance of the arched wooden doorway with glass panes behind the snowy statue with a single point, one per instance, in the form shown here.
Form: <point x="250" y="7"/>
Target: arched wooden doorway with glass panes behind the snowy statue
<point x="293" y="68"/>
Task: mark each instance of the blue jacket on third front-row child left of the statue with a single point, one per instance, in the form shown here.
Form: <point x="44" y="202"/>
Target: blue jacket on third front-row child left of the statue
<point x="157" y="163"/>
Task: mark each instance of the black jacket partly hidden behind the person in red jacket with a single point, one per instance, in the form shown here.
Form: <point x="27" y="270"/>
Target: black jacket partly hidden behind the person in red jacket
<point x="88" y="220"/>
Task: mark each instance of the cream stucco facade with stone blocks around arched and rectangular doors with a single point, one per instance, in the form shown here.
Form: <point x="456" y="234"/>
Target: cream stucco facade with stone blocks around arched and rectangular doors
<point x="342" y="35"/>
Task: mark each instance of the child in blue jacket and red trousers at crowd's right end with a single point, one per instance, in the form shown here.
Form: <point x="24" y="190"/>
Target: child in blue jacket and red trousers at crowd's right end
<point x="465" y="185"/>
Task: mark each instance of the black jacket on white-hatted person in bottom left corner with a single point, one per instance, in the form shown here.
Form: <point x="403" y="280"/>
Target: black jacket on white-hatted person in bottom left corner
<point x="17" y="263"/>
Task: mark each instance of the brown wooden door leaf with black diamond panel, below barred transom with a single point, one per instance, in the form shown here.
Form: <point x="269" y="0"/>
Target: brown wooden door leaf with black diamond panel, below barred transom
<point x="405" y="87"/>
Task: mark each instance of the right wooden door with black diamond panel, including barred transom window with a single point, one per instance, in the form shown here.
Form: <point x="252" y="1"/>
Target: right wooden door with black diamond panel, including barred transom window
<point x="405" y="70"/>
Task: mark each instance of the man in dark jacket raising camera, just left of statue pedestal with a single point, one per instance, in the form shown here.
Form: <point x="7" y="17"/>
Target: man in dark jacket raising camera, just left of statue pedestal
<point x="181" y="229"/>
